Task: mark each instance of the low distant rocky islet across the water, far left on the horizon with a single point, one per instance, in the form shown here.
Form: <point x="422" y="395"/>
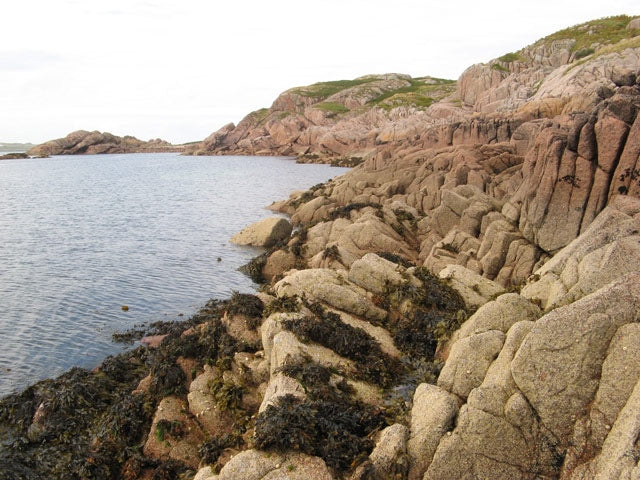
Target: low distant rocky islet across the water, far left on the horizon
<point x="87" y="143"/>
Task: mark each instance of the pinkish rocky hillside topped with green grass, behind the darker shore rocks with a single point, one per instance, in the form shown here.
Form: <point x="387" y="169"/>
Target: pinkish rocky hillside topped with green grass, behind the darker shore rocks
<point x="349" y="120"/>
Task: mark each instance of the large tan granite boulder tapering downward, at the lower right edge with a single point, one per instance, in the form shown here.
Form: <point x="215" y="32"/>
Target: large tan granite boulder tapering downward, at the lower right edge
<point x="559" y="363"/>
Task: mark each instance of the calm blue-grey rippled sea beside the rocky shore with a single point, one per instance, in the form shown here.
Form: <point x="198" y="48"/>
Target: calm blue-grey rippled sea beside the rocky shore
<point x="81" y="236"/>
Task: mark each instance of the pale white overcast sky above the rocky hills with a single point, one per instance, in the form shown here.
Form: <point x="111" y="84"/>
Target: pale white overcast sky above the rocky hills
<point x="181" y="69"/>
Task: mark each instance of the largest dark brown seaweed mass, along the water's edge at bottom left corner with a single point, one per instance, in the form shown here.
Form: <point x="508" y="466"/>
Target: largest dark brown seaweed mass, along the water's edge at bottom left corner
<point x="88" y="424"/>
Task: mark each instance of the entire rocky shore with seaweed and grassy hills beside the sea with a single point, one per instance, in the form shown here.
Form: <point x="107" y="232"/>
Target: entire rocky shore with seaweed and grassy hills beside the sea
<point x="464" y="303"/>
